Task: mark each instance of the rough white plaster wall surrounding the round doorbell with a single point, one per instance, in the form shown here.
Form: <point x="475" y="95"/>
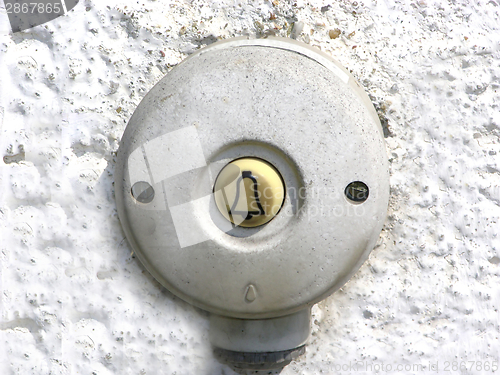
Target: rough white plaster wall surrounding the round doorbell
<point x="75" y="300"/>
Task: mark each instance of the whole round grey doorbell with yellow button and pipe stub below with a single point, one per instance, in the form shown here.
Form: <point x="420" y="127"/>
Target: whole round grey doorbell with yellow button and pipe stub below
<point x="252" y="181"/>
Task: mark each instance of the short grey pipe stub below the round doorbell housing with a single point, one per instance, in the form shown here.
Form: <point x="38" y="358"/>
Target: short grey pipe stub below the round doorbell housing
<point x="260" y="343"/>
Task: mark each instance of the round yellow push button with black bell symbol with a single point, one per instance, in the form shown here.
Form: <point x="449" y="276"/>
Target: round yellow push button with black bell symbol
<point x="249" y="192"/>
